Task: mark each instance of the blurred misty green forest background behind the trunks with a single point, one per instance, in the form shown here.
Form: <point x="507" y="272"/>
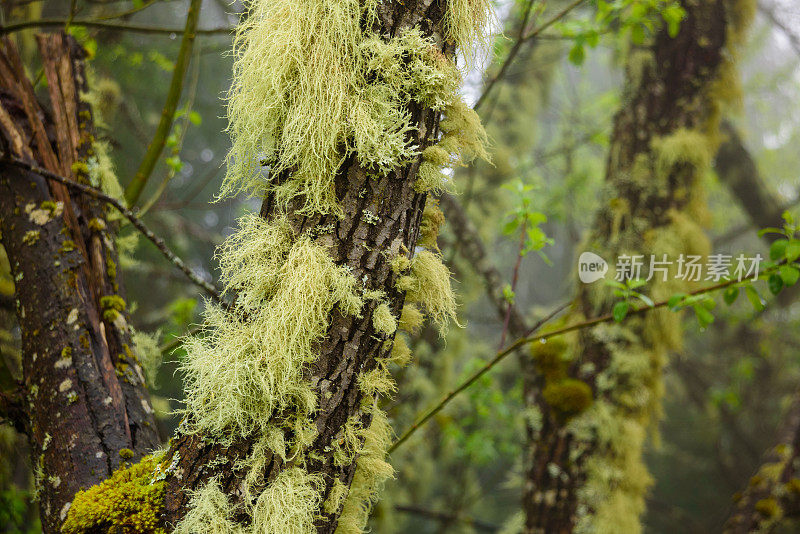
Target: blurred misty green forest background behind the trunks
<point x="549" y="117"/>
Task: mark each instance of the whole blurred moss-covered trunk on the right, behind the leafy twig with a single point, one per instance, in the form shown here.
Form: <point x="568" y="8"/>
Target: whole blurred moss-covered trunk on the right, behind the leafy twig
<point x="584" y="464"/>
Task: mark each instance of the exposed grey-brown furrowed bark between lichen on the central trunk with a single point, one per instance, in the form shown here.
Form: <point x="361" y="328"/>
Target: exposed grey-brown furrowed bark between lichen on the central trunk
<point x="381" y="216"/>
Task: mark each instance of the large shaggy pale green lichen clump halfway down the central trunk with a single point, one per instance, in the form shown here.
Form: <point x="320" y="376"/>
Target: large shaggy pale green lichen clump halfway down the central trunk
<point x="242" y="371"/>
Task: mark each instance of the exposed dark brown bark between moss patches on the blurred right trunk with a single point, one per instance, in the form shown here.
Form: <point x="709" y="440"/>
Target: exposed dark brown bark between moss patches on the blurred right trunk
<point x="663" y="95"/>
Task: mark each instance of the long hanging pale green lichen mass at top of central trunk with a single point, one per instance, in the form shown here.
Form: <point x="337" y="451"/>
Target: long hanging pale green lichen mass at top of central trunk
<point x="310" y="87"/>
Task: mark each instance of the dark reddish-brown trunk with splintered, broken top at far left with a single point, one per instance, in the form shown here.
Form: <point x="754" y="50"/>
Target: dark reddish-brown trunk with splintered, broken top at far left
<point x="85" y="394"/>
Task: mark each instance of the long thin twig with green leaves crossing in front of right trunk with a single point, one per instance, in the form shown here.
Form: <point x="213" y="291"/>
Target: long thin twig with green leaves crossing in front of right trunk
<point x="426" y="416"/>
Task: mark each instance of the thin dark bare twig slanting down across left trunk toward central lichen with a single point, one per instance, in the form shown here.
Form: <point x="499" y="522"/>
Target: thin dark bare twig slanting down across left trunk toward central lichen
<point x="128" y="214"/>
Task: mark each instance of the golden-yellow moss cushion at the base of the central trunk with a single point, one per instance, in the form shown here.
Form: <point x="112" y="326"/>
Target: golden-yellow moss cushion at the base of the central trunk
<point x="125" y="502"/>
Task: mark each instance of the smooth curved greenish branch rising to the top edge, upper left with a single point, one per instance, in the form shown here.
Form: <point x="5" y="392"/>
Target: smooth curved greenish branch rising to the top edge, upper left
<point x="154" y="149"/>
